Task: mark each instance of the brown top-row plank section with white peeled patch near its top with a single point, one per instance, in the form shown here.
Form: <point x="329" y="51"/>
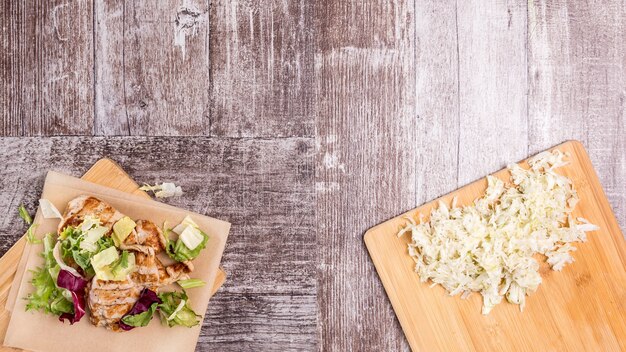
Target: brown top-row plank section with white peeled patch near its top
<point x="152" y="68"/>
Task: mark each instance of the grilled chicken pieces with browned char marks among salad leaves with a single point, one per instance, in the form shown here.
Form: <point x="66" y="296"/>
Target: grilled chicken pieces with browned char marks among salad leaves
<point x="108" y="301"/>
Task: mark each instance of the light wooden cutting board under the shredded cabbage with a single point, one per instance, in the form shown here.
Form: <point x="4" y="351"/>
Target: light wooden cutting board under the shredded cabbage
<point x="583" y="307"/>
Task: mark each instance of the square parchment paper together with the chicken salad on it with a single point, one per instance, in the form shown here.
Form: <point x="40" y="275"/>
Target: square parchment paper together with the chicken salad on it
<point x="105" y="265"/>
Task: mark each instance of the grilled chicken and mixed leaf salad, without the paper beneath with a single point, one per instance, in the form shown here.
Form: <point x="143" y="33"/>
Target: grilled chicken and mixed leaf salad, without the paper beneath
<point x="103" y="261"/>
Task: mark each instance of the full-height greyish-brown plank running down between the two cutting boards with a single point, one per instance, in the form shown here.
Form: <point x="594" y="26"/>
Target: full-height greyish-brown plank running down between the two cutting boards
<point x="365" y="167"/>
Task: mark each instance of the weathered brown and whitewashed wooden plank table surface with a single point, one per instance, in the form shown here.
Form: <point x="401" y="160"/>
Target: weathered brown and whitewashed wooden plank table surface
<point x="304" y="123"/>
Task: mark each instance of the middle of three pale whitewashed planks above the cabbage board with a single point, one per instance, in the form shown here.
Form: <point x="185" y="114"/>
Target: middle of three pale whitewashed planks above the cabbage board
<point x="492" y="86"/>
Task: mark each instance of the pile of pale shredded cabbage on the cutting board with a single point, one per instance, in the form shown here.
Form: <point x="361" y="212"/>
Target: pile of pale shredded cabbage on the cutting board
<point x="488" y="247"/>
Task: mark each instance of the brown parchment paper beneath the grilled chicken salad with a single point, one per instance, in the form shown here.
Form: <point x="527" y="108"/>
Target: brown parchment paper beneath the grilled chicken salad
<point x="36" y="331"/>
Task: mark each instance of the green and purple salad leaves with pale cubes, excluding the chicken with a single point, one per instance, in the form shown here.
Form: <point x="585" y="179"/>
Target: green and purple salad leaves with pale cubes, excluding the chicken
<point x="78" y="255"/>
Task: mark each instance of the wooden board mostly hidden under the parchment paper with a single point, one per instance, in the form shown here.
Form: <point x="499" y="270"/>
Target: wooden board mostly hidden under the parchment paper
<point x="105" y="172"/>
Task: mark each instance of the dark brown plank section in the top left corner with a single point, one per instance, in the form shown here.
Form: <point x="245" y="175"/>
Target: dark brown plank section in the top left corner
<point x="46" y="75"/>
